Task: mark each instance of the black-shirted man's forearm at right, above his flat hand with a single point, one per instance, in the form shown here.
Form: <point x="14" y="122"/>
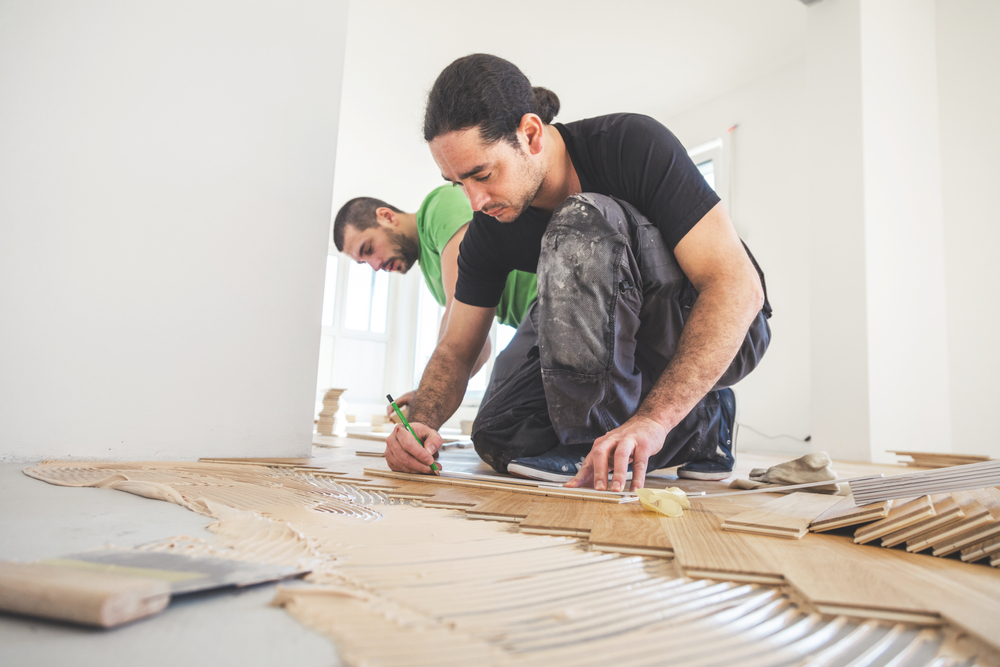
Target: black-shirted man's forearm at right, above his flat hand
<point x="713" y="334"/>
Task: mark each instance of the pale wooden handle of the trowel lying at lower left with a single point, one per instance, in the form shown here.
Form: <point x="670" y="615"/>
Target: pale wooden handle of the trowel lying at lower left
<point x="79" y="596"/>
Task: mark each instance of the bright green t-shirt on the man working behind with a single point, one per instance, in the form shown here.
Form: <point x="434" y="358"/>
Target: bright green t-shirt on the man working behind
<point x="439" y="217"/>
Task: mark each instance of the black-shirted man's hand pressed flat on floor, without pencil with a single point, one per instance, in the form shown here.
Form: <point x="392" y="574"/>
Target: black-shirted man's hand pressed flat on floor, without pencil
<point x="634" y="441"/>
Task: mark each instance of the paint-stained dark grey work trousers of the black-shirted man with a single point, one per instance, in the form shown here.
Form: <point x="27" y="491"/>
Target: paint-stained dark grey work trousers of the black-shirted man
<point x="612" y="302"/>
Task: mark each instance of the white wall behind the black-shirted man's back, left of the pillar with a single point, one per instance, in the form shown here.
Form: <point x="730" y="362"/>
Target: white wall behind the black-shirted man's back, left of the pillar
<point x="769" y="206"/>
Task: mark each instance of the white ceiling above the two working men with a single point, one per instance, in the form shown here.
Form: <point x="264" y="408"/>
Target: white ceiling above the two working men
<point x="658" y="57"/>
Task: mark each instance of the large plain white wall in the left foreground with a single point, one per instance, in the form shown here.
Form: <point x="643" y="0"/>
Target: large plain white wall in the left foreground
<point x="166" y="171"/>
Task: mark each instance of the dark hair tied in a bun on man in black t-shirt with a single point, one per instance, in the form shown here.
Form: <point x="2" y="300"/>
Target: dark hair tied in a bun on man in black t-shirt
<point x="487" y="92"/>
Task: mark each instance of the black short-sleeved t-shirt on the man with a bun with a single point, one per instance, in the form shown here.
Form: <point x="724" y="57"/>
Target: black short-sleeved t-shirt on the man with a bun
<point x="628" y="156"/>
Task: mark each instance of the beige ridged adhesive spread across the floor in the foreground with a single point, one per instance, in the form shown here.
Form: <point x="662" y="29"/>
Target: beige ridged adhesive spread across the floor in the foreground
<point x="397" y="584"/>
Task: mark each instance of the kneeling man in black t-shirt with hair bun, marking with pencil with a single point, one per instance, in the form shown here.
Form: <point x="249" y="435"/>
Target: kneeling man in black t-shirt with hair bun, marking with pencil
<point x="649" y="306"/>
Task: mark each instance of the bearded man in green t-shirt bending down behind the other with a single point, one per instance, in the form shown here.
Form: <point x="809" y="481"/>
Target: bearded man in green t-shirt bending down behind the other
<point x="371" y="231"/>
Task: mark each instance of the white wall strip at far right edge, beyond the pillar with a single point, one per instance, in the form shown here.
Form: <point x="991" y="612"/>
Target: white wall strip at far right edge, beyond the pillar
<point x="968" y="56"/>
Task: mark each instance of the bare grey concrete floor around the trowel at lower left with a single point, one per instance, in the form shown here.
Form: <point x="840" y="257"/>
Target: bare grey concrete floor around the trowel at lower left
<point x="227" y="627"/>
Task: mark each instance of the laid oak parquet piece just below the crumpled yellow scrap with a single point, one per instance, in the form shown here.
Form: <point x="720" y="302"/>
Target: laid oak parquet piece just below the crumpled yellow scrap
<point x="629" y="529"/>
